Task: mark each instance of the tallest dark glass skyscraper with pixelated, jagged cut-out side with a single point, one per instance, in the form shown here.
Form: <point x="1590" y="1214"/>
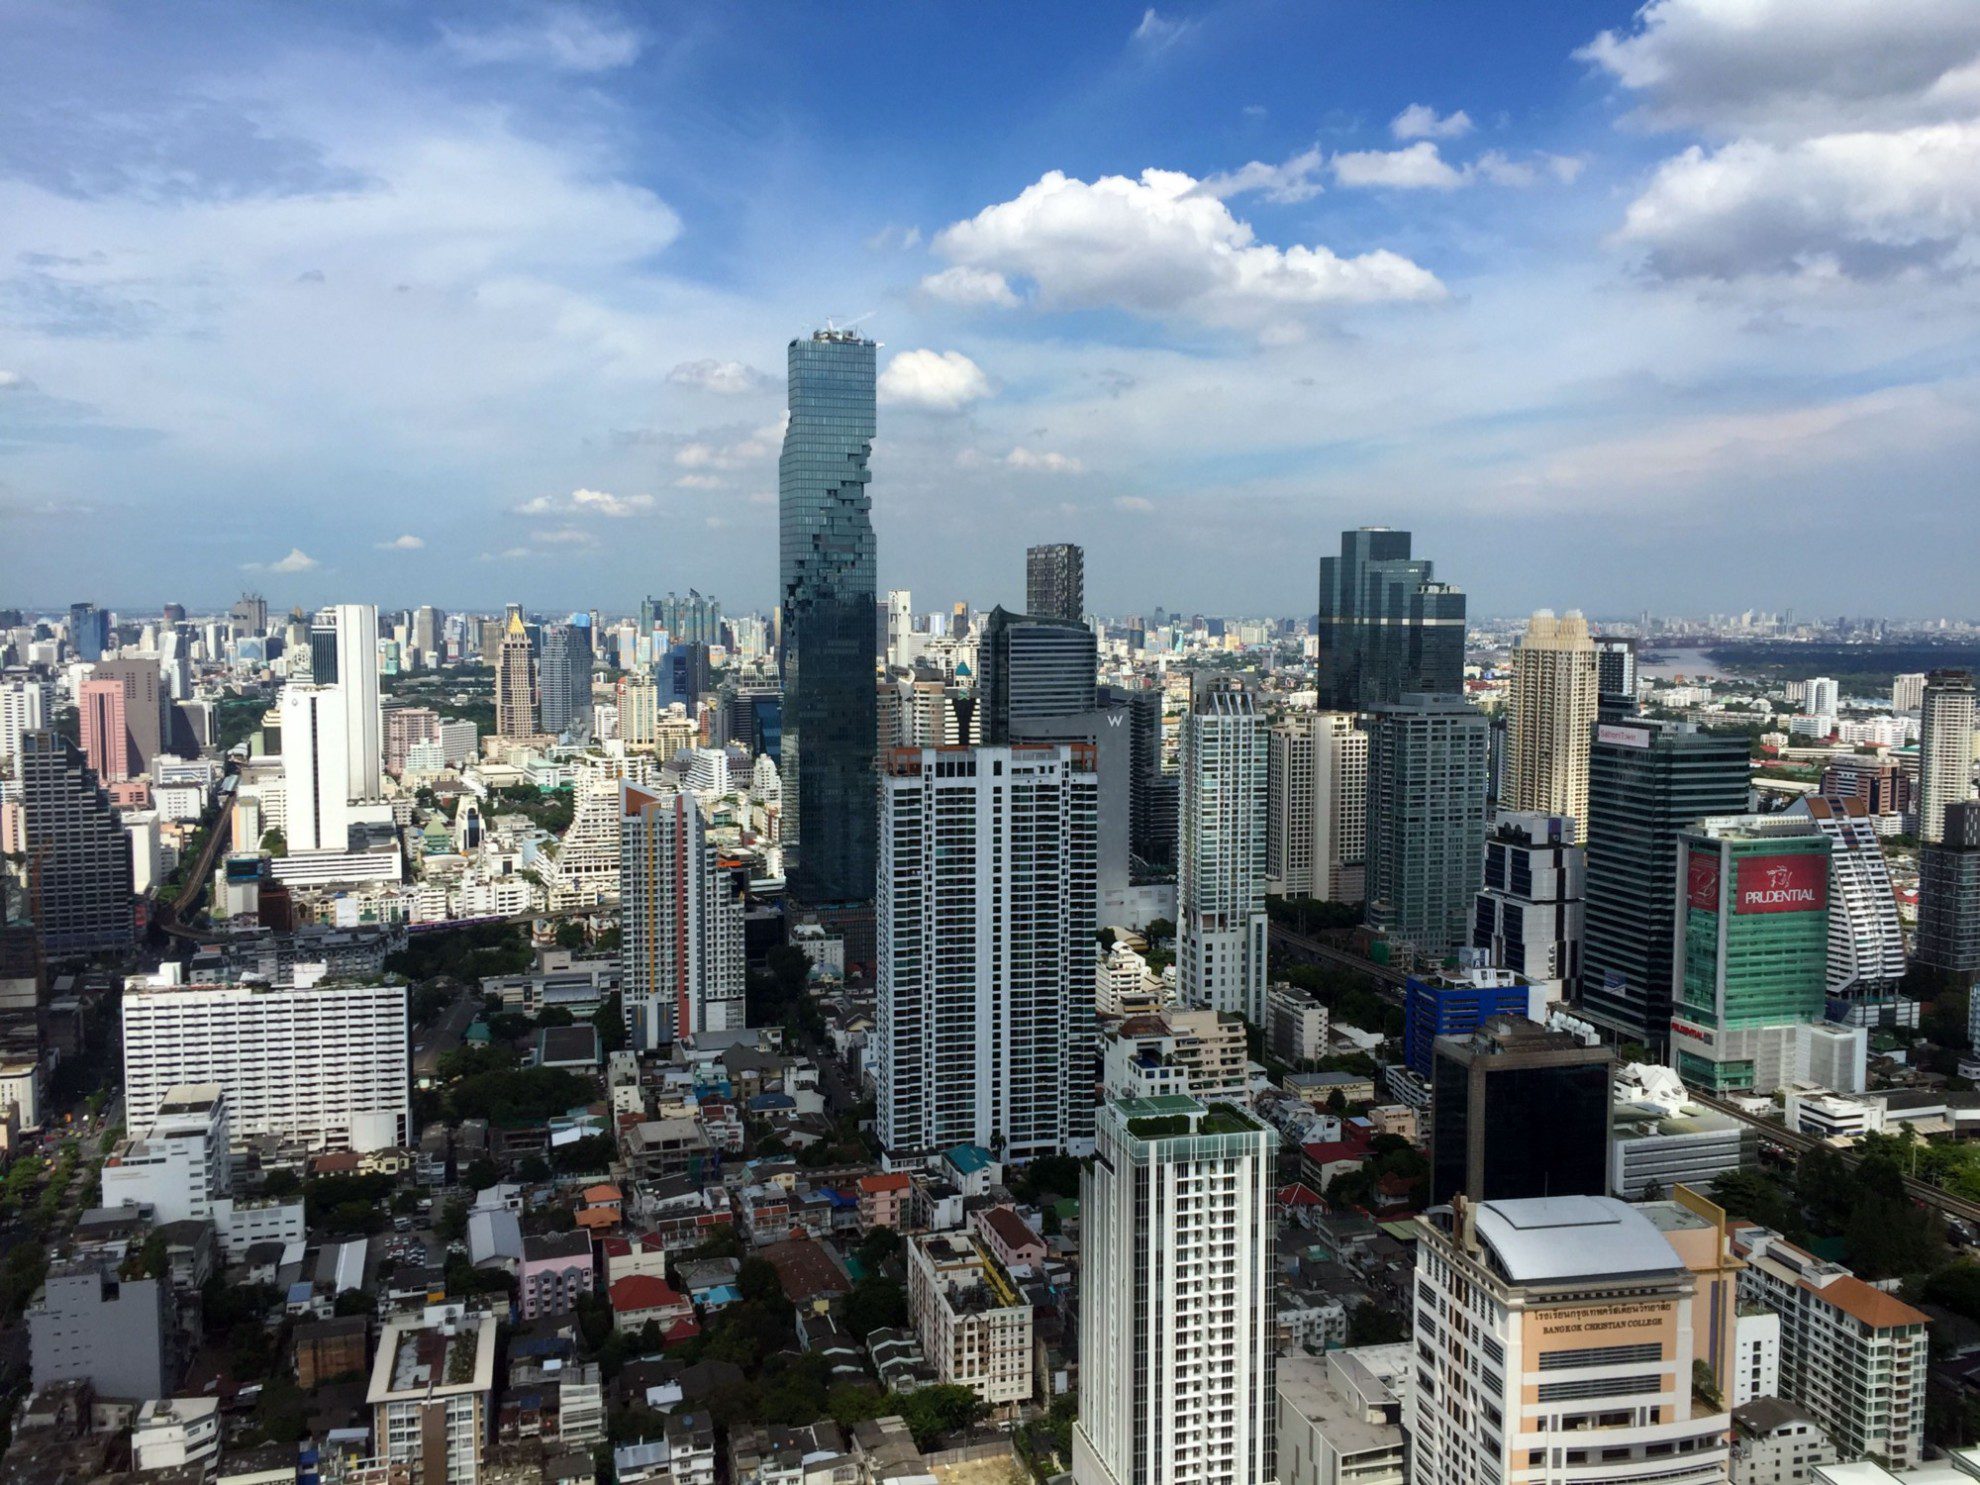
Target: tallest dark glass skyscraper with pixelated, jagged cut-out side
<point x="827" y="637"/>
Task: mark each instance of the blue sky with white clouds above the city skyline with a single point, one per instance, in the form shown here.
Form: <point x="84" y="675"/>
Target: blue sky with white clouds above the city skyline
<point x="1664" y="308"/>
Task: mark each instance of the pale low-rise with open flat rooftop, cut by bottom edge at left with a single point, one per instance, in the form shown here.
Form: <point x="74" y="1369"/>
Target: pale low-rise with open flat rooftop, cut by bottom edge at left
<point x="431" y="1393"/>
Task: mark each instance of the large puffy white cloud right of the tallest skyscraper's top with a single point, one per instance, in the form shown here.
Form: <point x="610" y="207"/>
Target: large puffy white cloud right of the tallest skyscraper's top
<point x="1161" y="247"/>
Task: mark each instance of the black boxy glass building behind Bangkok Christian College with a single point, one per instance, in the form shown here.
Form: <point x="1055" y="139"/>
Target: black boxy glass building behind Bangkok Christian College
<point x="1518" y="1112"/>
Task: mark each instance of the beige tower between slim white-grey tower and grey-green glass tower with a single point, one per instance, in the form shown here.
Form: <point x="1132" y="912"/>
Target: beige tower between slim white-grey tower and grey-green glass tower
<point x="1316" y="807"/>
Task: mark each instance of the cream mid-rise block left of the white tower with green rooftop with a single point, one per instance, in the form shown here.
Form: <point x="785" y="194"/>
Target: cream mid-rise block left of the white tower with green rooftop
<point x="971" y="1322"/>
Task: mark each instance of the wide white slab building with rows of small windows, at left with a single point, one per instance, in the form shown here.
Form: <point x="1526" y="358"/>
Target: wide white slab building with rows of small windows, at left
<point x="326" y="1066"/>
